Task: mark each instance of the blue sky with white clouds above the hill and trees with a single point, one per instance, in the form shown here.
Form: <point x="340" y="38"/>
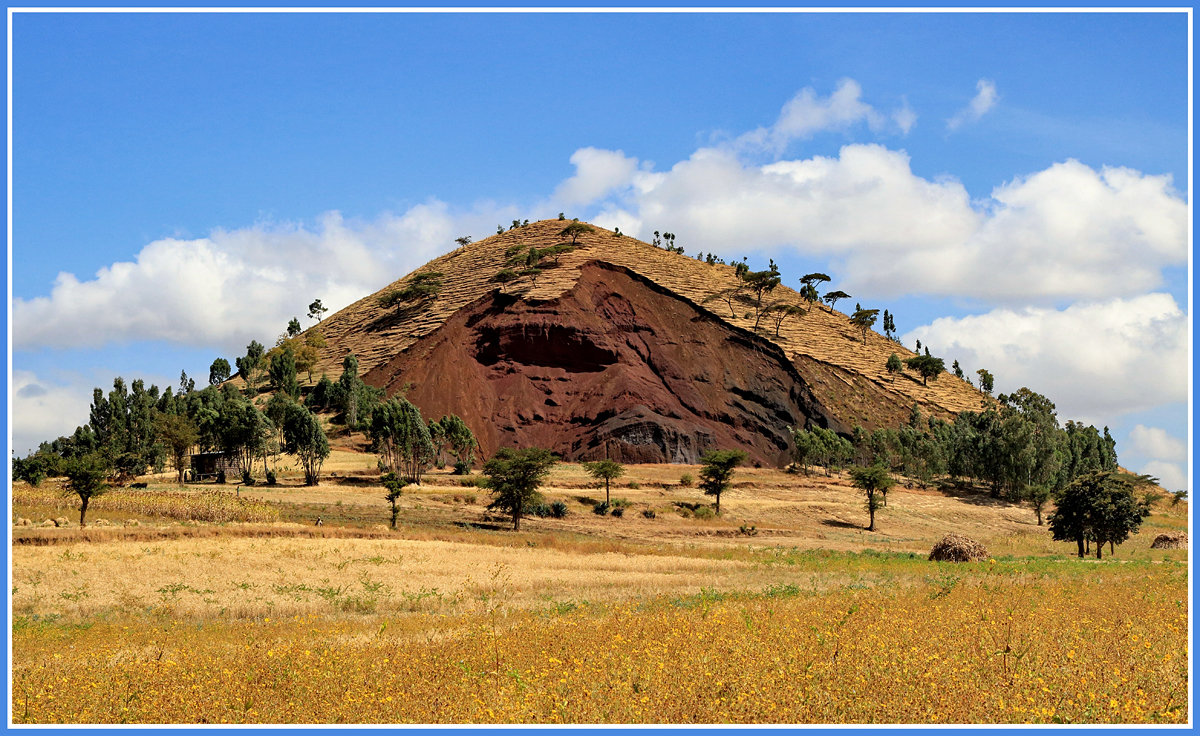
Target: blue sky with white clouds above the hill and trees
<point x="999" y="182"/>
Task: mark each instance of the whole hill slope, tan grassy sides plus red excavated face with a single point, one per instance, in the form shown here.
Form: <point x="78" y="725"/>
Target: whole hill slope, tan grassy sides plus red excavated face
<point x="665" y="339"/>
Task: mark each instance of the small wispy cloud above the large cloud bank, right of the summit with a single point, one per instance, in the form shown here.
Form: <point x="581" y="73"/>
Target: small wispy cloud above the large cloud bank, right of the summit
<point x="808" y="113"/>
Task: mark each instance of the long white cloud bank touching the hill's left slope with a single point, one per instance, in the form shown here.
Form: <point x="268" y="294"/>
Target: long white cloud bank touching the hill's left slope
<point x="241" y="285"/>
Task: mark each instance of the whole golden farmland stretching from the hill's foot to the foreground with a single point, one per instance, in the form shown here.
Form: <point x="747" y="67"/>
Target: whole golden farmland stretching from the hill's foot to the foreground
<point x="190" y="608"/>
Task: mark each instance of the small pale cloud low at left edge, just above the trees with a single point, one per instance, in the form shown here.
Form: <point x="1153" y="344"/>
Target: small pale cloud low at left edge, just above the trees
<point x="44" y="411"/>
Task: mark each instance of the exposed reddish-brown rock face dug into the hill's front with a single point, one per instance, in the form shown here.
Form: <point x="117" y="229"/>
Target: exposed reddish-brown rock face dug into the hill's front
<point x="617" y="361"/>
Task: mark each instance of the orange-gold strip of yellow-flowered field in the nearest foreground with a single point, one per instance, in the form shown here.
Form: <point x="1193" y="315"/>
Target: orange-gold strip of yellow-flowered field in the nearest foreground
<point x="985" y="644"/>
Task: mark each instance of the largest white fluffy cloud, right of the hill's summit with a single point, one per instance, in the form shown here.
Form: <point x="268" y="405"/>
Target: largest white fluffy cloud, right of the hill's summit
<point x="1067" y="232"/>
